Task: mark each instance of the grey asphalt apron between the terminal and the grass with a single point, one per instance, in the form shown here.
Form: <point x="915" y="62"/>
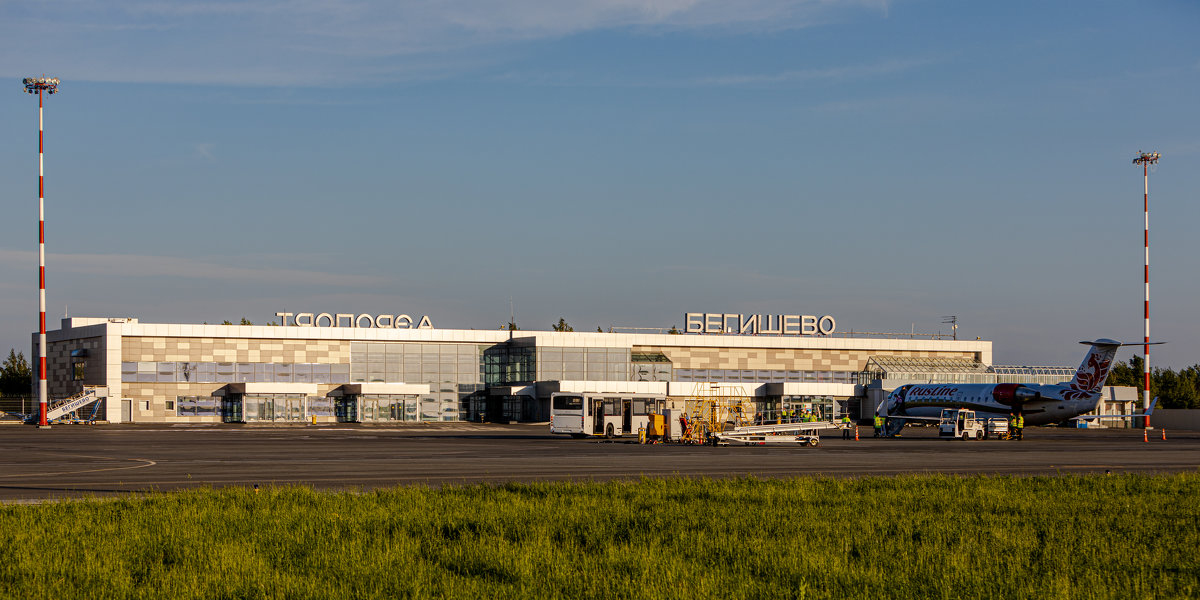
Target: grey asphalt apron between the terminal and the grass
<point x="73" y="461"/>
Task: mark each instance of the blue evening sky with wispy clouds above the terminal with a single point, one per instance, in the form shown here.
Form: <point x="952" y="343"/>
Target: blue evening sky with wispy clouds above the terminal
<point x="613" y="163"/>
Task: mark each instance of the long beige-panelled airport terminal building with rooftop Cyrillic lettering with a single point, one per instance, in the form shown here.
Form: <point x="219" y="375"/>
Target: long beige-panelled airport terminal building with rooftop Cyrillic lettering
<point x="377" y="369"/>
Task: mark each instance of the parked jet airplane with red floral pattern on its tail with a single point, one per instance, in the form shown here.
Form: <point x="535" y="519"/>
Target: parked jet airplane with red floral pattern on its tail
<point x="1040" y="404"/>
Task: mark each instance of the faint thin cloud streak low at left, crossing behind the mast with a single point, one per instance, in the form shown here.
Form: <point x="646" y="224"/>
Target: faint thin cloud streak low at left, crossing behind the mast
<point x="137" y="266"/>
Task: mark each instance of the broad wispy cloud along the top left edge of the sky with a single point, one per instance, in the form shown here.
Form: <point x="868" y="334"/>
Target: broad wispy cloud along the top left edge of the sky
<point x="335" y="43"/>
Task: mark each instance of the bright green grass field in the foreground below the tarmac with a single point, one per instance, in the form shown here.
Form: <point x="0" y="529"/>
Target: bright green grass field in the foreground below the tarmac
<point x="908" y="537"/>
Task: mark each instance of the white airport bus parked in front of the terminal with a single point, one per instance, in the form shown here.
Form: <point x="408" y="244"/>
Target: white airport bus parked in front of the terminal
<point x="603" y="415"/>
